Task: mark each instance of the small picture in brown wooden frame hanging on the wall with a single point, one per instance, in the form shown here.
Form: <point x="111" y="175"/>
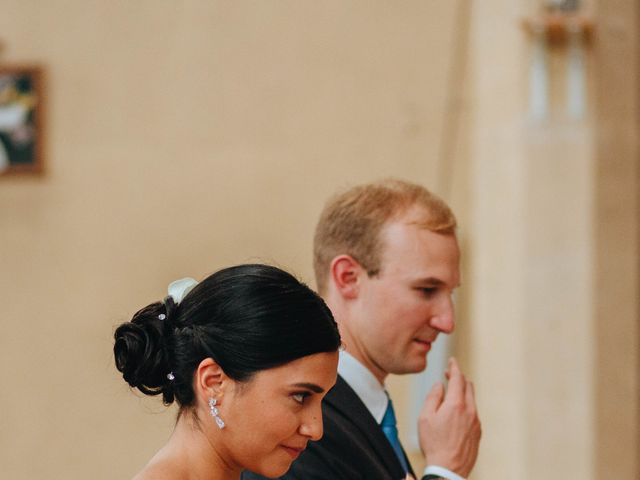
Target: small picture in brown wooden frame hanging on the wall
<point x="21" y="119"/>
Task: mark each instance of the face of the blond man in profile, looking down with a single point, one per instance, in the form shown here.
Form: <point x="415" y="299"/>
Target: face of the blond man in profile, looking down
<point x="401" y="311"/>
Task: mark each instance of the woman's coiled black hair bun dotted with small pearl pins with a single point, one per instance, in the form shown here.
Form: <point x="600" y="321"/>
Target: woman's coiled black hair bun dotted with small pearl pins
<point x="141" y="354"/>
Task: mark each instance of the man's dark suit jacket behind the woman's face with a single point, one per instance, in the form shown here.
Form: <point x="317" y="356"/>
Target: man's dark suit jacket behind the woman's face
<point x="353" y="446"/>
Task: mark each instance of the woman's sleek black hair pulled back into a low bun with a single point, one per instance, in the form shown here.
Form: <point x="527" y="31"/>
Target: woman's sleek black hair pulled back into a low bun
<point x="247" y="318"/>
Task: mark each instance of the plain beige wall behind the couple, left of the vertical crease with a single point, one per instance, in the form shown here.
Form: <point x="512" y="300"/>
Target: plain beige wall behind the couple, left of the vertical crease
<point x="183" y="137"/>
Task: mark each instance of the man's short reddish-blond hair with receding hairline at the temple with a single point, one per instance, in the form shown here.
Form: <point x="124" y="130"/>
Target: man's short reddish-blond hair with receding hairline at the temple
<point x="351" y="222"/>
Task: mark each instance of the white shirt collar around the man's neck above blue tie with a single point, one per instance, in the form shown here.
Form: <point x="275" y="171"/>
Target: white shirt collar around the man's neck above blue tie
<point x="365" y="384"/>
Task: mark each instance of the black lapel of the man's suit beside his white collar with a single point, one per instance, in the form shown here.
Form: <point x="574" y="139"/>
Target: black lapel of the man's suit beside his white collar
<point x="343" y="399"/>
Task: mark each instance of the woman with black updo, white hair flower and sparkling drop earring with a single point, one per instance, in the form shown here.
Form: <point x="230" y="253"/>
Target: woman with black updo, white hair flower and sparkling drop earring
<point x="247" y="354"/>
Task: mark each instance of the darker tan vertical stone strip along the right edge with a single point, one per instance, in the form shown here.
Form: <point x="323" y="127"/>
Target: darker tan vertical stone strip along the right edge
<point x="617" y="264"/>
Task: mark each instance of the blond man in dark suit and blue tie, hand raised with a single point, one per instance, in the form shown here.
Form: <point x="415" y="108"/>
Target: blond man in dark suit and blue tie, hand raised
<point x="386" y="261"/>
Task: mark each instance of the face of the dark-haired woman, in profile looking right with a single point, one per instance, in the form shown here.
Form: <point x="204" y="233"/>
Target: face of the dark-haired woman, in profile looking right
<point x="270" y="419"/>
